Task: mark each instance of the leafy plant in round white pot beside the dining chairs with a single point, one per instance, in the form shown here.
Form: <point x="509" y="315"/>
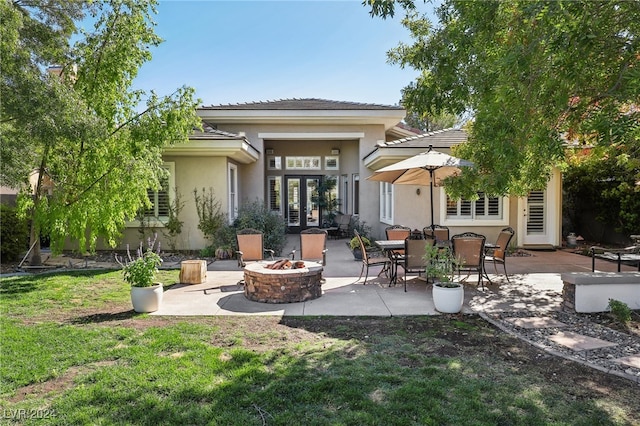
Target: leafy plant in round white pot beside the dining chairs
<point x="442" y="264"/>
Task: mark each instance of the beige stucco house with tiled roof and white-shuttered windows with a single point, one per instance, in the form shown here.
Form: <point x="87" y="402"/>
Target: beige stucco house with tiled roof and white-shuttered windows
<point x="278" y="151"/>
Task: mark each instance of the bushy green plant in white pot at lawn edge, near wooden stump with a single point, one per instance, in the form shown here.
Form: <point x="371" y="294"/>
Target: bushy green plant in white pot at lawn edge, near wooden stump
<point x="140" y="272"/>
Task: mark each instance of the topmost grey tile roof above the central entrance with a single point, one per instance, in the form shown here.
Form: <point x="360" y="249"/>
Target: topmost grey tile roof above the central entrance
<point x="302" y="104"/>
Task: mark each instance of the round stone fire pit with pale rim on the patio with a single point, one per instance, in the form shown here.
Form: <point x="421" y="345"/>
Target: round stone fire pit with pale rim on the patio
<point x="282" y="285"/>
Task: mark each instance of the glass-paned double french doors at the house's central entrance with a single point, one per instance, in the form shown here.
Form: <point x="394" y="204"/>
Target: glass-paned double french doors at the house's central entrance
<point x="302" y="210"/>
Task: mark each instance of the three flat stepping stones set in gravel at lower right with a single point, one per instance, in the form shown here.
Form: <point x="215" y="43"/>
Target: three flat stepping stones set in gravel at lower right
<point x="574" y="341"/>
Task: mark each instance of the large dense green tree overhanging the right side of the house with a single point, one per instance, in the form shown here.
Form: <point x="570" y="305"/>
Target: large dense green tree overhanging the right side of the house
<point x="534" y="75"/>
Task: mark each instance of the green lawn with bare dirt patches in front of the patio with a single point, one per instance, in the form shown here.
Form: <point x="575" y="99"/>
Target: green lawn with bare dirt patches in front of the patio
<point x="73" y="352"/>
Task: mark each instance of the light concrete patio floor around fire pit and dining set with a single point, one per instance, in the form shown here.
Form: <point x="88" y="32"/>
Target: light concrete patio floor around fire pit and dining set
<point x="534" y="286"/>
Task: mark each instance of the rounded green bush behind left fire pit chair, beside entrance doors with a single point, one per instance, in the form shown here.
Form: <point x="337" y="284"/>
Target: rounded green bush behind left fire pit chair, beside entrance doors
<point x="257" y="216"/>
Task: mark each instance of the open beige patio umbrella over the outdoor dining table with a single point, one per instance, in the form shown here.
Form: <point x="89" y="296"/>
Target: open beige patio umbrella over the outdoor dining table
<point x="427" y="168"/>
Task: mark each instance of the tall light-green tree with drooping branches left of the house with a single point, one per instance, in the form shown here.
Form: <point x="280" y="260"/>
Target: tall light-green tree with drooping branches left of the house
<point x="80" y="128"/>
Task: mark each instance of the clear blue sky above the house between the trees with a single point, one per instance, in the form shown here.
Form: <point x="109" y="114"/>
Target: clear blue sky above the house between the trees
<point x="244" y="51"/>
